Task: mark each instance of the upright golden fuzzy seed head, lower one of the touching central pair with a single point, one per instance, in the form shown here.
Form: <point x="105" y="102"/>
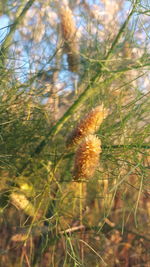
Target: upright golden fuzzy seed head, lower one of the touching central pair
<point x="87" y="157"/>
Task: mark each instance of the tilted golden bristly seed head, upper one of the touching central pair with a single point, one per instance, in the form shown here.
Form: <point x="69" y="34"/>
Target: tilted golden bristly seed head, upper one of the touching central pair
<point x="88" y="125"/>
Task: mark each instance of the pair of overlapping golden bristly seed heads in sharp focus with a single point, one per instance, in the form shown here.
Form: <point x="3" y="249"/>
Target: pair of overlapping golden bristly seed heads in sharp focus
<point x="87" y="154"/>
